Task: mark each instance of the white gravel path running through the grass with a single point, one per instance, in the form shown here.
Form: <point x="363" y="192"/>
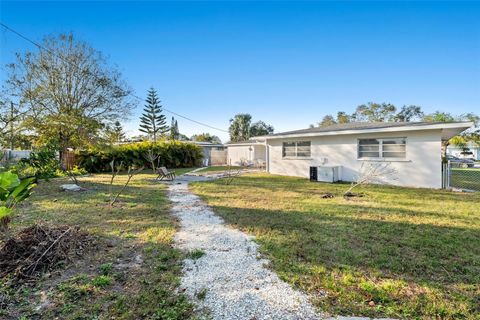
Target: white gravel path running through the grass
<point x="231" y="276"/>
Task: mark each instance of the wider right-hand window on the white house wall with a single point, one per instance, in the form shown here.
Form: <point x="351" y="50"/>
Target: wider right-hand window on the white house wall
<point x="387" y="148"/>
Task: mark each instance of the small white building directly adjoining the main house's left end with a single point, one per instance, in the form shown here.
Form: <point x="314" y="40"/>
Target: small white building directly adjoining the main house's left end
<point x="246" y="153"/>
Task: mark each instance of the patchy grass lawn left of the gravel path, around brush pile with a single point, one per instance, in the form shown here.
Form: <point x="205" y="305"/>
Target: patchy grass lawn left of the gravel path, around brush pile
<point x="108" y="282"/>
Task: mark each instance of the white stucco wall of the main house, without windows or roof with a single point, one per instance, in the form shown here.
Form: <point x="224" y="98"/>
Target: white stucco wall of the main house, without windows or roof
<point x="421" y="168"/>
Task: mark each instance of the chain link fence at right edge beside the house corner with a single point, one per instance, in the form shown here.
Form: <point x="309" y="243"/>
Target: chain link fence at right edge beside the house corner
<point x="461" y="175"/>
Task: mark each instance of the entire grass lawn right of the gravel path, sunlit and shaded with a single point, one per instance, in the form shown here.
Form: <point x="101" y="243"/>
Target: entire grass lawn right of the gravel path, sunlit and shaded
<point x="396" y="252"/>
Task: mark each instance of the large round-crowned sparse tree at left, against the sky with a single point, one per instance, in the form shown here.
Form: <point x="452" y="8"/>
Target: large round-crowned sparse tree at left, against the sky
<point x="70" y="91"/>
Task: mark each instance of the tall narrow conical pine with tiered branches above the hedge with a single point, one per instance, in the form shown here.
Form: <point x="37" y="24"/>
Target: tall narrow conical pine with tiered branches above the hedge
<point x="152" y="121"/>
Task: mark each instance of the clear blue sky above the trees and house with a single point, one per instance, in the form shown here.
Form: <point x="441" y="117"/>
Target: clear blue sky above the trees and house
<point x="287" y="63"/>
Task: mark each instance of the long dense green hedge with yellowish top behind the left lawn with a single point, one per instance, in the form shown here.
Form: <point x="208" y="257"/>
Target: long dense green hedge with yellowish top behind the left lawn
<point x="171" y="154"/>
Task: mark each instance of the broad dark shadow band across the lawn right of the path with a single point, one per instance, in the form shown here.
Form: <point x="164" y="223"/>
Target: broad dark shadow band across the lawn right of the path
<point x="414" y="252"/>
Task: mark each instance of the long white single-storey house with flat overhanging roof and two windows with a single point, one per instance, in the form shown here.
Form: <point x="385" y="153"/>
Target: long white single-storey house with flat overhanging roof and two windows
<point x="413" y="149"/>
